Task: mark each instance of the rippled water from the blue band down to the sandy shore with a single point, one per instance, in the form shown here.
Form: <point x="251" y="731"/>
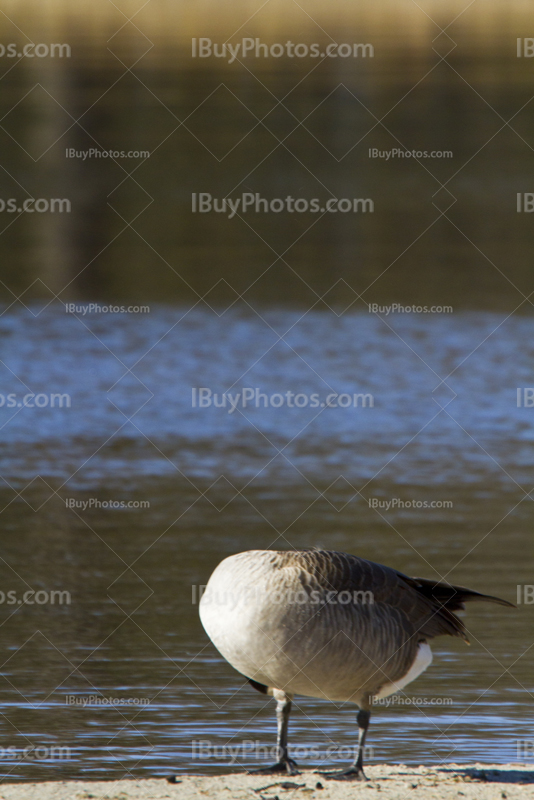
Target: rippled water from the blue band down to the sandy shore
<point x="132" y="631"/>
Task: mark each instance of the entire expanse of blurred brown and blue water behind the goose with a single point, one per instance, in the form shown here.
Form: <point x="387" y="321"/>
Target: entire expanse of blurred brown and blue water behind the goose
<point x="271" y="301"/>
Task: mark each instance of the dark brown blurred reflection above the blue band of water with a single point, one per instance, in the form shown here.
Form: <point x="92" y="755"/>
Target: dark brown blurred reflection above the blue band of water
<point x="221" y="129"/>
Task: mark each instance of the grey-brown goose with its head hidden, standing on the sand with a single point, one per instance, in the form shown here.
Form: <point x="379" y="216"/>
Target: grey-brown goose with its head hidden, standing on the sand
<point x="327" y="624"/>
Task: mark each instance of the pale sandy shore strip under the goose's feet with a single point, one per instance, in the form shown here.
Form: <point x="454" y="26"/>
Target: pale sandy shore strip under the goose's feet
<point x="461" y="782"/>
